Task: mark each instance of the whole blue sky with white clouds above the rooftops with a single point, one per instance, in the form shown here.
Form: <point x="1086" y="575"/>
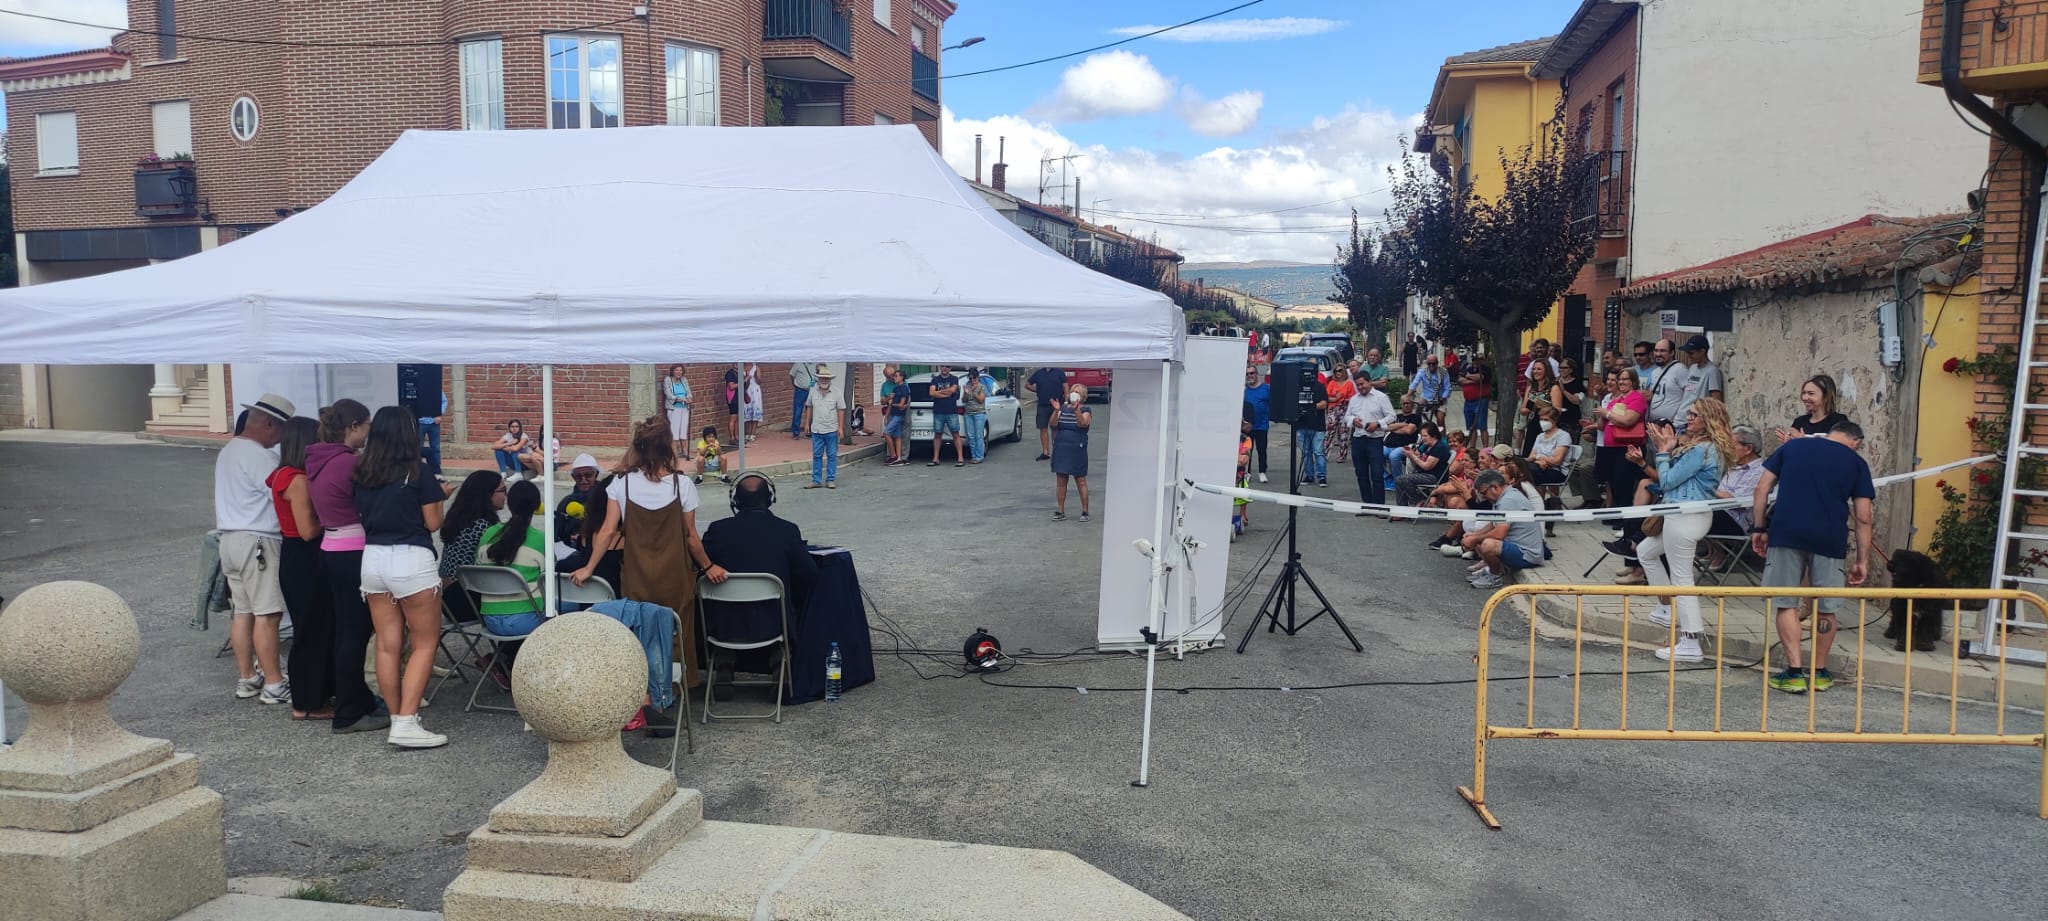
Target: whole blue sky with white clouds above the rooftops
<point x="1281" y="105"/>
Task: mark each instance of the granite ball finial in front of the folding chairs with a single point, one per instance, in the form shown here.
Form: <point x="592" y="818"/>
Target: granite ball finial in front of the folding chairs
<point x="581" y="678"/>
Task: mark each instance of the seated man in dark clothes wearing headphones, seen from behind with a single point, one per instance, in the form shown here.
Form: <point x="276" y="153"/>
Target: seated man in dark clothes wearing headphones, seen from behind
<point x="755" y="541"/>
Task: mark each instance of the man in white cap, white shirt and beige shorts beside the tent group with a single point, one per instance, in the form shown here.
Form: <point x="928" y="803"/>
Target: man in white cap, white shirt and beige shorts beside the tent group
<point x="253" y="547"/>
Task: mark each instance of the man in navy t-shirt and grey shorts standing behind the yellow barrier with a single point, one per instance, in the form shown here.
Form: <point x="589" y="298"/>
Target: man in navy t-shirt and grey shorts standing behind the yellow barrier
<point x="1820" y="482"/>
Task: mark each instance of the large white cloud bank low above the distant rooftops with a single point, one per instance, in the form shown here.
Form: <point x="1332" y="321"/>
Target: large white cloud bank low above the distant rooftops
<point x="1215" y="206"/>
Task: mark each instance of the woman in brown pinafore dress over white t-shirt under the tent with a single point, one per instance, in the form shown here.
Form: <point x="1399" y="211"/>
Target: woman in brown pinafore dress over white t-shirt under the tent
<point x="663" y="547"/>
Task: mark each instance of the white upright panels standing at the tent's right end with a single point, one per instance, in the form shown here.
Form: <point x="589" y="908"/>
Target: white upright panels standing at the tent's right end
<point x="1207" y="406"/>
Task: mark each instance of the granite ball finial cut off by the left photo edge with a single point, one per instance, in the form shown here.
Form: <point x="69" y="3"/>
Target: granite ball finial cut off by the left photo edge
<point x="67" y="642"/>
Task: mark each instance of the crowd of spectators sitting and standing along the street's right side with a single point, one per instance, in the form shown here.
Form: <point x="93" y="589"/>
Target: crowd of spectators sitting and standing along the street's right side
<point x="1658" y="431"/>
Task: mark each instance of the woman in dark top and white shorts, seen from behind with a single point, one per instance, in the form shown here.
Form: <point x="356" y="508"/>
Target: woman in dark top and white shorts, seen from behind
<point x="400" y="505"/>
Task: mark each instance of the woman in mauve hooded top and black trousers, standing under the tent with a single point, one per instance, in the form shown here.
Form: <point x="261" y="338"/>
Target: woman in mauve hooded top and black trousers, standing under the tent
<point x="331" y="470"/>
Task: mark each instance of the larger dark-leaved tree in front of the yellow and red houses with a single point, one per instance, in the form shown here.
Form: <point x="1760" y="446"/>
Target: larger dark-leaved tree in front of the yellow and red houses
<point x="1500" y="267"/>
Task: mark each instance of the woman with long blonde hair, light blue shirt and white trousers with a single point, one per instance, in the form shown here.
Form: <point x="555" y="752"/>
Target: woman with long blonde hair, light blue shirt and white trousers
<point x="1689" y="470"/>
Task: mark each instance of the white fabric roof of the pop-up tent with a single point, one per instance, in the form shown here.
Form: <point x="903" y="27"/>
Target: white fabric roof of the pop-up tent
<point x="648" y="245"/>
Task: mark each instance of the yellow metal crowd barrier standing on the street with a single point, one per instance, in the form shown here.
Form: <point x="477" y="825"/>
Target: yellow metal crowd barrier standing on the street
<point x="1721" y="595"/>
